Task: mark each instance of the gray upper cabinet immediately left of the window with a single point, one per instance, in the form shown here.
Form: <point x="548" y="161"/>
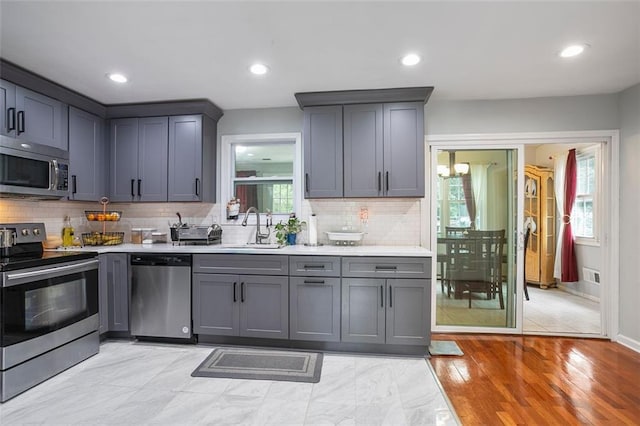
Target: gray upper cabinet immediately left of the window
<point x="192" y="160"/>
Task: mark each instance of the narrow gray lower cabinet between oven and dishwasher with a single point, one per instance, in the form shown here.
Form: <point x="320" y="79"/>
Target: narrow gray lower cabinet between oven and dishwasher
<point x="113" y="291"/>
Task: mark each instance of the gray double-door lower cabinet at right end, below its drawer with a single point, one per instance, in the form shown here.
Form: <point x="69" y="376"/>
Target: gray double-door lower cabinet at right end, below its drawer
<point x="393" y="311"/>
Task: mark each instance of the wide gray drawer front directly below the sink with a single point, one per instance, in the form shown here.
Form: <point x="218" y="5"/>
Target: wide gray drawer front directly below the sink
<point x="248" y="264"/>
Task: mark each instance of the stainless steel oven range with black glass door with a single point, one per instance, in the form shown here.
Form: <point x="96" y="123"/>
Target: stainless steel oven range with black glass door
<point x="48" y="309"/>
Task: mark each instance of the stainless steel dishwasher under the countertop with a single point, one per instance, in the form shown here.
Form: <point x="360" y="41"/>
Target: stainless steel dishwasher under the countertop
<point x="161" y="295"/>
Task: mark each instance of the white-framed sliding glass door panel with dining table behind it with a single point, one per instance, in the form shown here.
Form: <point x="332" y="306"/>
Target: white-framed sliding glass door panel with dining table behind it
<point x="478" y="278"/>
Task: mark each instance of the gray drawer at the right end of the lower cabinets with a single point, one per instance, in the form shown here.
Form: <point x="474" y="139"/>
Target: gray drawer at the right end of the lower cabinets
<point x="386" y="267"/>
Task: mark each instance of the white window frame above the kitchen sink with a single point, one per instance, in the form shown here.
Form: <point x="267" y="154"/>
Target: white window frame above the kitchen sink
<point x="227" y="170"/>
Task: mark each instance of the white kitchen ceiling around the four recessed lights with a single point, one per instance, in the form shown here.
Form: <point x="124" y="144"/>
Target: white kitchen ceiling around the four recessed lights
<point x="186" y="50"/>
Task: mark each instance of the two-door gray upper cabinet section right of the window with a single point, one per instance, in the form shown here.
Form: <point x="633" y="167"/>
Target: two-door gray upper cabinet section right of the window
<point x="384" y="150"/>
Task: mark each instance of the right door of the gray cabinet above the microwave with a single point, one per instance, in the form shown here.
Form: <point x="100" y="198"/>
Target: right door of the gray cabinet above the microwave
<point x="41" y="119"/>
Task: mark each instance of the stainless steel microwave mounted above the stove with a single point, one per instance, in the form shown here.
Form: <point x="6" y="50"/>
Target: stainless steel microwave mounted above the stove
<point x="32" y="171"/>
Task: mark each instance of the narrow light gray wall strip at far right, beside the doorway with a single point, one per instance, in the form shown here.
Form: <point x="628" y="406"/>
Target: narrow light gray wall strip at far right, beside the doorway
<point x="629" y="208"/>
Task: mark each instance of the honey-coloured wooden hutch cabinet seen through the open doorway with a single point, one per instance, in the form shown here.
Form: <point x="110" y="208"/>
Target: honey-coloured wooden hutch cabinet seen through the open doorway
<point x="540" y="215"/>
